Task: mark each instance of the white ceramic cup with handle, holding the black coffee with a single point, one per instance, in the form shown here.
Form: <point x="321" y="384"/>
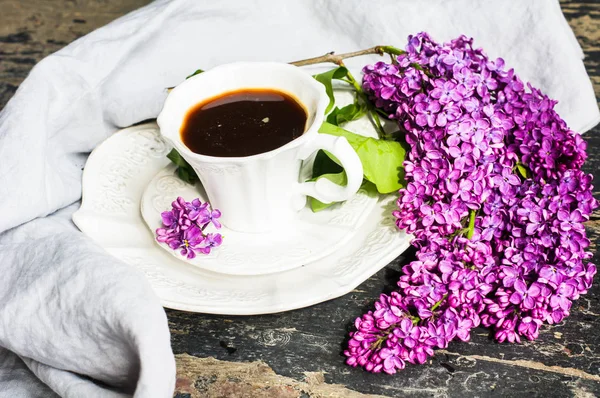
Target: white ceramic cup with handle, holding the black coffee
<point x="261" y="192"/>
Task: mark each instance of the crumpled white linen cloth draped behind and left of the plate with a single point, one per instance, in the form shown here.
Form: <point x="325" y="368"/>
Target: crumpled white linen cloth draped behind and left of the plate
<point x="70" y="313"/>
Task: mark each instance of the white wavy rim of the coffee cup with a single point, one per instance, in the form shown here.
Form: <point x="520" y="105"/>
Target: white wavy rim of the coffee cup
<point x="178" y="144"/>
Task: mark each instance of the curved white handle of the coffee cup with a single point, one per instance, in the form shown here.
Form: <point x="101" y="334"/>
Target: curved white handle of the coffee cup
<point x="323" y="189"/>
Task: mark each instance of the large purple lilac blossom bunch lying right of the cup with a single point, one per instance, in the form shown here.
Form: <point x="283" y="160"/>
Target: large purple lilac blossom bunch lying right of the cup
<point x="495" y="199"/>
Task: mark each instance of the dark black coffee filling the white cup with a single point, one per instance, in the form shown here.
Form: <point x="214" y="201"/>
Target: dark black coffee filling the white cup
<point x="243" y="123"/>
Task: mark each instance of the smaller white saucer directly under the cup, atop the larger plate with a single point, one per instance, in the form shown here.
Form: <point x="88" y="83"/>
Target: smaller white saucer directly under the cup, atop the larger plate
<point x="311" y="237"/>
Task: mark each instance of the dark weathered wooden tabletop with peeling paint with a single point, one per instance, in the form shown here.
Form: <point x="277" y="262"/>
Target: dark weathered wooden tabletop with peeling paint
<point x="298" y="354"/>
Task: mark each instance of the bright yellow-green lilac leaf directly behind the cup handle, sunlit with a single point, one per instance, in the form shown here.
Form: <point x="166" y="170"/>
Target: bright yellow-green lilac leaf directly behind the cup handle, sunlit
<point x="381" y="159"/>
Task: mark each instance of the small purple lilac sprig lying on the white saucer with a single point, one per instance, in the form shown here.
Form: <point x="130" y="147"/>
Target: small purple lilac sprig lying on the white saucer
<point x="184" y="227"/>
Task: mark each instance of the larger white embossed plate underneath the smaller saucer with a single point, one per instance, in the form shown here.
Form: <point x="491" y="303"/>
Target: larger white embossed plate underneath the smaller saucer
<point x="113" y="182"/>
